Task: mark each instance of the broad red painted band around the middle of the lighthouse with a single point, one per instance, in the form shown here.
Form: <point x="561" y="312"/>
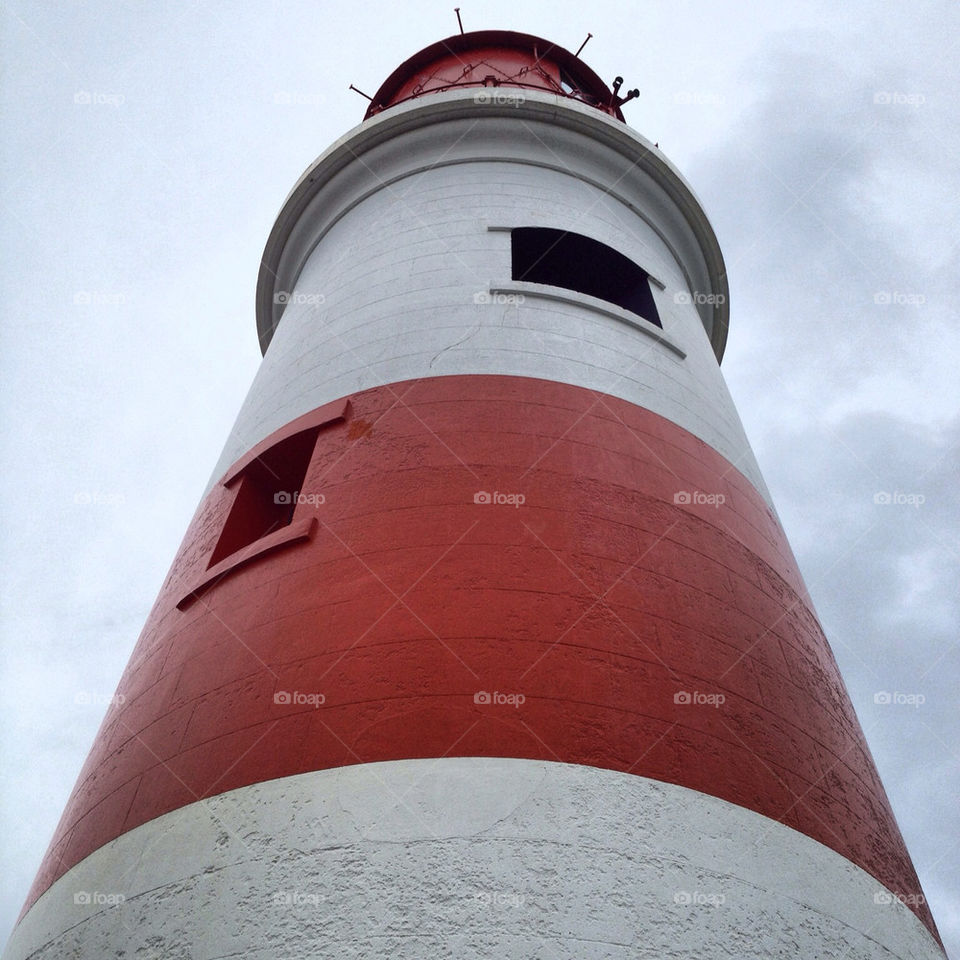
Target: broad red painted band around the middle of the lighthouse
<point x="599" y="600"/>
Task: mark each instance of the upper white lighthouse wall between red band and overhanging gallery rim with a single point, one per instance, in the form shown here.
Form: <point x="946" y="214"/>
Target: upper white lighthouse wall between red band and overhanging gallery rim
<point x="390" y="291"/>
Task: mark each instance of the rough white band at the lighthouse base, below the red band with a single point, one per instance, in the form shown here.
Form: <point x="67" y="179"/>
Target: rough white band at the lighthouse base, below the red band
<point x="467" y="857"/>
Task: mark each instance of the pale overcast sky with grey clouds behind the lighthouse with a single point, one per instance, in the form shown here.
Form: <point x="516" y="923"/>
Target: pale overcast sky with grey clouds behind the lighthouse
<point x="147" y="149"/>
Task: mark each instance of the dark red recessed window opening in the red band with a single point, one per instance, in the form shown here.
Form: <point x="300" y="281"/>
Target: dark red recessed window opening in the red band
<point x="268" y="489"/>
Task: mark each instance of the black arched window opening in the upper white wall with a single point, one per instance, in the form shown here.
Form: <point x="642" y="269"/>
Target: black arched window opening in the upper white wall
<point x="575" y="262"/>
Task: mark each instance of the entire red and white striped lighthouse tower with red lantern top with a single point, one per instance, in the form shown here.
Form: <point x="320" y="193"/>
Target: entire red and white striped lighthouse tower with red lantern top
<point x="485" y="640"/>
